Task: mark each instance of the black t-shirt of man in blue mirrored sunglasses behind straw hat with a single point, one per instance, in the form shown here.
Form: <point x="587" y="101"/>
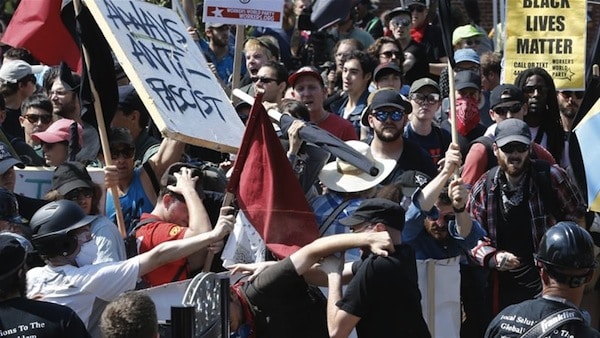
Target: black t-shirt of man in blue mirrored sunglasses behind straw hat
<point x="413" y="157"/>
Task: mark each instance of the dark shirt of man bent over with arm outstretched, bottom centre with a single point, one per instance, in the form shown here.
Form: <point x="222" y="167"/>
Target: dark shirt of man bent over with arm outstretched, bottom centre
<point x="284" y="305"/>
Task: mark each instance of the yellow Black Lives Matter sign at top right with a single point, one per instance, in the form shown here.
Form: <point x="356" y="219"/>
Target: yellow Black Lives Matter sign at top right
<point x="550" y="34"/>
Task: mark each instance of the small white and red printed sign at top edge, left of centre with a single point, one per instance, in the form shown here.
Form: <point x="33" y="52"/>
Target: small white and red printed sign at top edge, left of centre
<point x="262" y="13"/>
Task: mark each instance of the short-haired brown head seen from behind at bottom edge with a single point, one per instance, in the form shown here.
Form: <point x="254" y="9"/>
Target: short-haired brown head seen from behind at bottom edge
<point x="130" y="315"/>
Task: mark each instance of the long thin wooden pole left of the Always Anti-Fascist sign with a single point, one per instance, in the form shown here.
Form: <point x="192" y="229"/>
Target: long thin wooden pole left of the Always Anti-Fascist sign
<point x="102" y="132"/>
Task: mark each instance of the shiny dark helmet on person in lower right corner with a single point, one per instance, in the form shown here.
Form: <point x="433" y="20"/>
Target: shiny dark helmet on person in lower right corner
<point x="566" y="246"/>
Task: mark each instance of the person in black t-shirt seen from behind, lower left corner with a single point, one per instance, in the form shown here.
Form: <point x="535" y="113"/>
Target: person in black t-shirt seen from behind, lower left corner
<point x="21" y="316"/>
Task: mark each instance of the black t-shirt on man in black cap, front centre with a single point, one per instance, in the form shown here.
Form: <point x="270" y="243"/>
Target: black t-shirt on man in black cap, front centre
<point x="385" y="295"/>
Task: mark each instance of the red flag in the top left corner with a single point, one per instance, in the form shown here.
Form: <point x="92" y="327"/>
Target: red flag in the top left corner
<point x="37" y="26"/>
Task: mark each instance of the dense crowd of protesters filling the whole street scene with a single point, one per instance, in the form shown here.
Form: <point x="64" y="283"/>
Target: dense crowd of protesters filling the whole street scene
<point x="484" y="236"/>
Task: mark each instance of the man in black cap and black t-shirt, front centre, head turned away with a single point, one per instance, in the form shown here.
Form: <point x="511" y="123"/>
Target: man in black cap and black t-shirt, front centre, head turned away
<point x="374" y="311"/>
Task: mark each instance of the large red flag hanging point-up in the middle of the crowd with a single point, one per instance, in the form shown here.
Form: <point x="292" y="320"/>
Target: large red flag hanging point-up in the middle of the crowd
<point x="268" y="191"/>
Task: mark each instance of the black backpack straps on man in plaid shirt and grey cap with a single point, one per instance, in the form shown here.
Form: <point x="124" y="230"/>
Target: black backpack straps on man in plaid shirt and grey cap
<point x="543" y="181"/>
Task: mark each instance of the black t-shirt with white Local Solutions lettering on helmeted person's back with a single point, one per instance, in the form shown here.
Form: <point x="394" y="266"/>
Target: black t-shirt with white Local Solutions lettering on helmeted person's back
<point x="517" y="319"/>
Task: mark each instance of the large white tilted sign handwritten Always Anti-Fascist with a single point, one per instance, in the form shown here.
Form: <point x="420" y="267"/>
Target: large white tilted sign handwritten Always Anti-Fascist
<point x="169" y="72"/>
